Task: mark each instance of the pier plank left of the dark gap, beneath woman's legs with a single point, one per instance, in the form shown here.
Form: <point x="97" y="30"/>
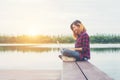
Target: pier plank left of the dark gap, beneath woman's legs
<point x="71" y="72"/>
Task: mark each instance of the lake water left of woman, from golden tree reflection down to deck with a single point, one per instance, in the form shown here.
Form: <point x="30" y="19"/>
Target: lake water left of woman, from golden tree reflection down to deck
<point x="29" y="57"/>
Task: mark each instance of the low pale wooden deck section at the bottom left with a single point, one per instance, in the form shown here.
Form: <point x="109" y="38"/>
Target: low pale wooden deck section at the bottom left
<point x="30" y="74"/>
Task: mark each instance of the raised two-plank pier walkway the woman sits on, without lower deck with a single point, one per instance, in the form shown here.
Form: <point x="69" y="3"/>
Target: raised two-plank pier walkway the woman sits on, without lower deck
<point x="82" y="70"/>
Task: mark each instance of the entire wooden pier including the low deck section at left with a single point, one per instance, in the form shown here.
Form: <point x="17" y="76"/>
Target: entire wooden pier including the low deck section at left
<point x="82" y="70"/>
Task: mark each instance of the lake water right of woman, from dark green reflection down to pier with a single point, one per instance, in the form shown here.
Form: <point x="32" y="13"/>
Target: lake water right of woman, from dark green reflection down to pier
<point x="108" y="60"/>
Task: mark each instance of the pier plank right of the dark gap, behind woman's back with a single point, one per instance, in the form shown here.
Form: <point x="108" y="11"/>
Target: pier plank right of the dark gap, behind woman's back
<point x="92" y="72"/>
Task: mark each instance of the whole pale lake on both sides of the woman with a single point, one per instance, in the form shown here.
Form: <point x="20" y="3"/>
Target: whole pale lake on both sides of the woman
<point x="45" y="57"/>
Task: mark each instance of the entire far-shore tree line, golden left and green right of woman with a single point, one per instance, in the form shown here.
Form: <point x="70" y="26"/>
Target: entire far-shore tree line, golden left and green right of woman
<point x="98" y="38"/>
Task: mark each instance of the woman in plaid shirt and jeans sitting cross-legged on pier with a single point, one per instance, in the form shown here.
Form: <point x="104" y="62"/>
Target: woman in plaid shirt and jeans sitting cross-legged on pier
<point x="82" y="48"/>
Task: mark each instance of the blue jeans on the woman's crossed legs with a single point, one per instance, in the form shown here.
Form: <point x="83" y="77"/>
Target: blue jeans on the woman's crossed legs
<point x="71" y="53"/>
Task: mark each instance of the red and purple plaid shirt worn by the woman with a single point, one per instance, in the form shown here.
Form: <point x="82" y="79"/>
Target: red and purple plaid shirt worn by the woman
<point x="83" y="42"/>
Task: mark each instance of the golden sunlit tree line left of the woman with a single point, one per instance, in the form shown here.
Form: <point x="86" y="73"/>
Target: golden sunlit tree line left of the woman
<point x="36" y="39"/>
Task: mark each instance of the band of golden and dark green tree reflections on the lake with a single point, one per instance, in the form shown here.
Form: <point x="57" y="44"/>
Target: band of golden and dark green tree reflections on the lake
<point x="47" y="49"/>
